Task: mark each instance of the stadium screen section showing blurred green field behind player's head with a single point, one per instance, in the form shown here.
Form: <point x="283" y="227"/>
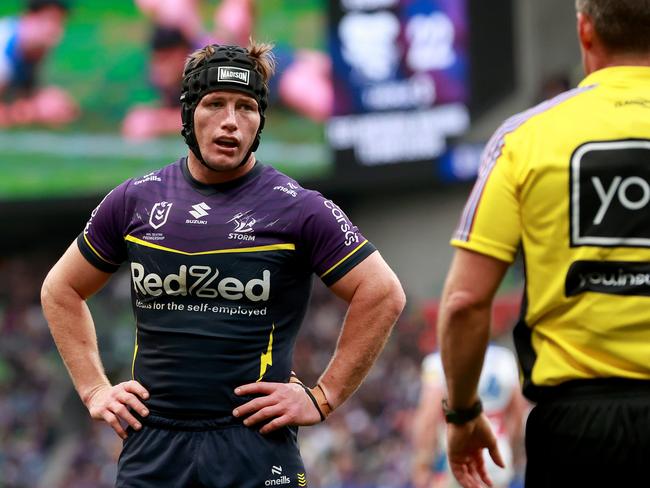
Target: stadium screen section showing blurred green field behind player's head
<point x="105" y="63"/>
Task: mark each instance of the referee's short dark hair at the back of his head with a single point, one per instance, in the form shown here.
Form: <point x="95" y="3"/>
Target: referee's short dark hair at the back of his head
<point x="623" y="26"/>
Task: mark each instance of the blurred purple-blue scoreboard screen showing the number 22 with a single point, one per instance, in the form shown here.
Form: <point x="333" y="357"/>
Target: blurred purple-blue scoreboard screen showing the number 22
<point x="401" y="79"/>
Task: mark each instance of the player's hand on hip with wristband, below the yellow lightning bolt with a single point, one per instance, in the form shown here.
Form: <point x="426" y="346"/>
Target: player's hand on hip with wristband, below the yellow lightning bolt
<point x="281" y="404"/>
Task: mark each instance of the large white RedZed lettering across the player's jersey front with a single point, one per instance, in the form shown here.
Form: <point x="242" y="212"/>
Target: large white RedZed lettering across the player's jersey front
<point x="200" y="281"/>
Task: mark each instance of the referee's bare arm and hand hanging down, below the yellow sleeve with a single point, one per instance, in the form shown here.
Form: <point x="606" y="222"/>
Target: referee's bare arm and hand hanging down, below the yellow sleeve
<point x="464" y="332"/>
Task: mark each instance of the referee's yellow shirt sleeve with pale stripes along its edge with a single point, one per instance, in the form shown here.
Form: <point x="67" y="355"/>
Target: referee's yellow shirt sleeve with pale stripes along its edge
<point x="490" y="222"/>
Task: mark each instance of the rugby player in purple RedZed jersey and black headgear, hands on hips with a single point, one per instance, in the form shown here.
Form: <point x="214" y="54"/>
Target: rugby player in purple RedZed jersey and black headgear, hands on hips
<point x="221" y="251"/>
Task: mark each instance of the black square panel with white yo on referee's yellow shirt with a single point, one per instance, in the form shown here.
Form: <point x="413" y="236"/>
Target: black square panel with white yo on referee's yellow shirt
<point x="610" y="194"/>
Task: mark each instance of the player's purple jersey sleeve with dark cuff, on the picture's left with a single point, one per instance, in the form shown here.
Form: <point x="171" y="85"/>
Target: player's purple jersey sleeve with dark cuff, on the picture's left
<point x="102" y="240"/>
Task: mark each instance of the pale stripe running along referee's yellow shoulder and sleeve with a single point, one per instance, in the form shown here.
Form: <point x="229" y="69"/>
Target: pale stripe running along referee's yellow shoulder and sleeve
<point x="493" y="151"/>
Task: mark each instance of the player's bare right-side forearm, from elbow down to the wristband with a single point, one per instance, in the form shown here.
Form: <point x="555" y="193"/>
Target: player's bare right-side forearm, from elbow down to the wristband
<point x="370" y="318"/>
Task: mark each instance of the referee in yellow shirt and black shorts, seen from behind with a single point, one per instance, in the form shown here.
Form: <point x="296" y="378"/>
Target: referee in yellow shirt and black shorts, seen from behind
<point x="569" y="182"/>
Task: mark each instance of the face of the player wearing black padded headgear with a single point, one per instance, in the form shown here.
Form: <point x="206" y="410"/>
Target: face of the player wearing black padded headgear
<point x="225" y="124"/>
